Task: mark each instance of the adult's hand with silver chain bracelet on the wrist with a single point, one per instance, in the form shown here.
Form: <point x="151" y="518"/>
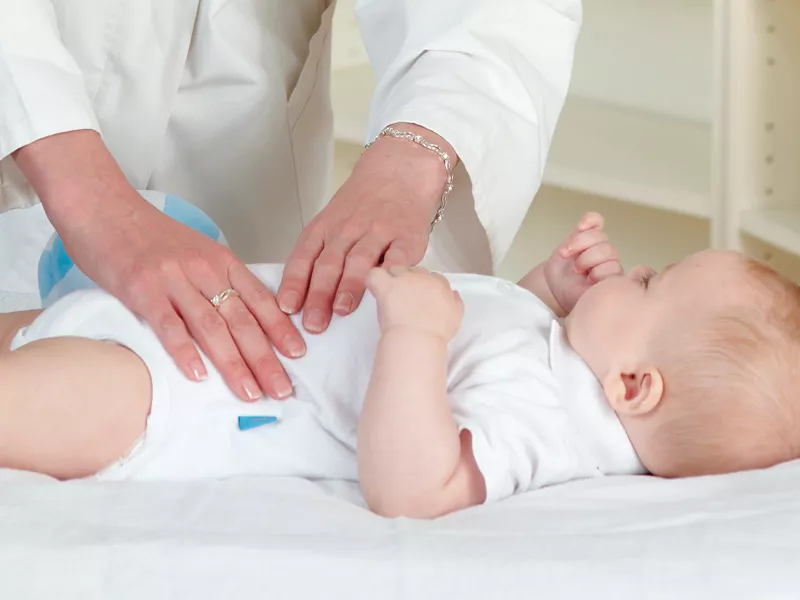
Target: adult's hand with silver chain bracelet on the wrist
<point x="380" y="216"/>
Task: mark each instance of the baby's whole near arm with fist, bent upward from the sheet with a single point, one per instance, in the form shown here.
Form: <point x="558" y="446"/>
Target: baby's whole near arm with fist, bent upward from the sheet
<point x="412" y="460"/>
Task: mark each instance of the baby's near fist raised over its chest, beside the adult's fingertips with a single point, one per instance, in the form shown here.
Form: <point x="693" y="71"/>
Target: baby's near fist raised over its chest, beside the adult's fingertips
<point x="414" y="298"/>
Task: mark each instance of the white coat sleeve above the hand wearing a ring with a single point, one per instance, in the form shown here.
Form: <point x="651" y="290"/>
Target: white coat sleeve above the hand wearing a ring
<point x="42" y="89"/>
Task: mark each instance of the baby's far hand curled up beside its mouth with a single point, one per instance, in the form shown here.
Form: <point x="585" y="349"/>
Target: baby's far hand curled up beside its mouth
<point x="580" y="261"/>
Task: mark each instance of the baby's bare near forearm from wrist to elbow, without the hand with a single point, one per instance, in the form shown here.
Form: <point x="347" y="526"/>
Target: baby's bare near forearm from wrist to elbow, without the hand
<point x="408" y="441"/>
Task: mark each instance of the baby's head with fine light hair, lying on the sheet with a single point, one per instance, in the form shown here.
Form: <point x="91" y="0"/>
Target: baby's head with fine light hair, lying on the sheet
<point x="700" y="362"/>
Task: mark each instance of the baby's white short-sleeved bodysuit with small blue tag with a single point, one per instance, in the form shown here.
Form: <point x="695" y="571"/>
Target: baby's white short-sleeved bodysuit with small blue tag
<point x="536" y="412"/>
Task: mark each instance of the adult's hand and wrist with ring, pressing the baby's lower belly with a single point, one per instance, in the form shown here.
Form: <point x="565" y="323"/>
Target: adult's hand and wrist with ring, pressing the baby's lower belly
<point x="162" y="270"/>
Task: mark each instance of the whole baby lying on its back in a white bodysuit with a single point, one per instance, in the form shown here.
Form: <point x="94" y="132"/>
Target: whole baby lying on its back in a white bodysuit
<point x="438" y="393"/>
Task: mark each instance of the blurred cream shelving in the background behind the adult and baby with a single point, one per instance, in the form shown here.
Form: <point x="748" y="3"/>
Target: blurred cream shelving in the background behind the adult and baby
<point x="681" y="127"/>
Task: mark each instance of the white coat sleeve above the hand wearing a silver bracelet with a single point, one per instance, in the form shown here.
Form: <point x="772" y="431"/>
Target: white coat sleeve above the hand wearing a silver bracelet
<point x="489" y="76"/>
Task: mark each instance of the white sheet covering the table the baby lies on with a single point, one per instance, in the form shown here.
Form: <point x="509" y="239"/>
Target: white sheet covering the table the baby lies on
<point x="726" y="537"/>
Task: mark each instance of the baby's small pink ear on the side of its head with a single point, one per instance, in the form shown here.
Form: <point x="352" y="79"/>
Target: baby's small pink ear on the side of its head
<point x="634" y="391"/>
